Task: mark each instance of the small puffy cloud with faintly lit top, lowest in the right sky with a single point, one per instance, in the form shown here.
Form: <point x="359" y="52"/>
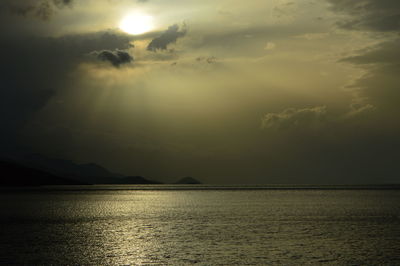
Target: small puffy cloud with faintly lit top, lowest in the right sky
<point x="295" y="118"/>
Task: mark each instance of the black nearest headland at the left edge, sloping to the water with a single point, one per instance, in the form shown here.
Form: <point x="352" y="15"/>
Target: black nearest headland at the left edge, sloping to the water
<point x="13" y="174"/>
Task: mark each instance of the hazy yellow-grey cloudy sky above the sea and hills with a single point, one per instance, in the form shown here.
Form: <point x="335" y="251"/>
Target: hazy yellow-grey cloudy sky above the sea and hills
<point x="226" y="91"/>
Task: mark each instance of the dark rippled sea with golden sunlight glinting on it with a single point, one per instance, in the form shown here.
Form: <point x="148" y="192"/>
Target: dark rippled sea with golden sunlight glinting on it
<point x="199" y="225"/>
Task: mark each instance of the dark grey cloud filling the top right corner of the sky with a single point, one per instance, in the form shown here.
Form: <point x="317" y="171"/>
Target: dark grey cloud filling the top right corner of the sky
<point x="377" y="15"/>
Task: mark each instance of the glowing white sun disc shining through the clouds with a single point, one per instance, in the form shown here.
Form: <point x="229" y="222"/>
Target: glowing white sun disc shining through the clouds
<point x="136" y="23"/>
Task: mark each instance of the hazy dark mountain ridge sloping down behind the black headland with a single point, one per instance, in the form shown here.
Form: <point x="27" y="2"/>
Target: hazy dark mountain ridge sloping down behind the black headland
<point x="89" y="173"/>
